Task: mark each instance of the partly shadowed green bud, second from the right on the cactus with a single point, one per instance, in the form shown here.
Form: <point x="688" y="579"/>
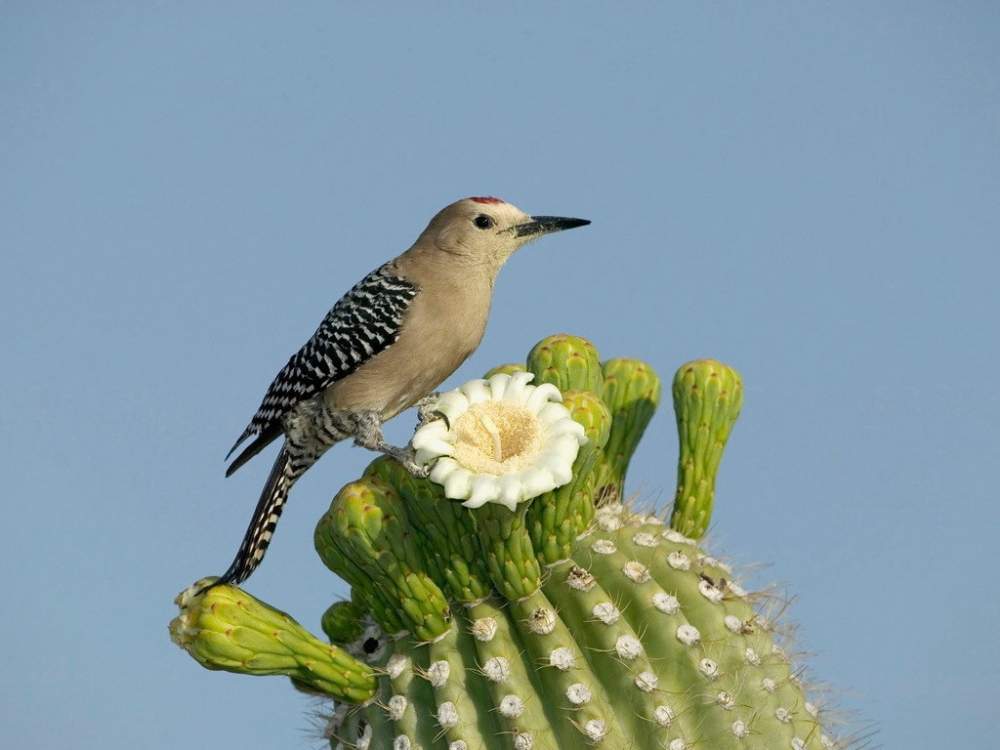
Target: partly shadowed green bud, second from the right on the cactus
<point x="632" y="392"/>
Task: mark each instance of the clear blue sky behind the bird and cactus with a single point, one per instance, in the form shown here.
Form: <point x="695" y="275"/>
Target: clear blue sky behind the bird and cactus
<point x="809" y="192"/>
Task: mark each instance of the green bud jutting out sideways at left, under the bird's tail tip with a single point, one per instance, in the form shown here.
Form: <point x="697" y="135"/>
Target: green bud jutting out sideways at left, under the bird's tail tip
<point x="226" y="628"/>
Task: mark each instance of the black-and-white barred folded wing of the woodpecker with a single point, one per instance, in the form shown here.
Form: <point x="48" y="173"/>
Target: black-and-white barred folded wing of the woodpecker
<point x="365" y="321"/>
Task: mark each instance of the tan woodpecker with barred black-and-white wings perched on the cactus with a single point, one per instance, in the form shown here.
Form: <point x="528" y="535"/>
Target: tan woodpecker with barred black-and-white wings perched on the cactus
<point x="384" y="347"/>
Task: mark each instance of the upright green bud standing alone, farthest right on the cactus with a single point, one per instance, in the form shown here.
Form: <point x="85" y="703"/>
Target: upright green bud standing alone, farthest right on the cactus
<point x="708" y="397"/>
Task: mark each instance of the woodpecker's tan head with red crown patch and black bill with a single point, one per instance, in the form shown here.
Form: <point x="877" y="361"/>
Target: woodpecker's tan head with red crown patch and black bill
<point x="487" y="230"/>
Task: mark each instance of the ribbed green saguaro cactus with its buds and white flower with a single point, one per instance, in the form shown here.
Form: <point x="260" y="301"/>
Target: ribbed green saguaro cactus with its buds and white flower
<point x="562" y="620"/>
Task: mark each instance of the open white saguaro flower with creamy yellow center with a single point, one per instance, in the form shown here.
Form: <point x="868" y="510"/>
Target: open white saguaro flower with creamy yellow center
<point x="502" y="441"/>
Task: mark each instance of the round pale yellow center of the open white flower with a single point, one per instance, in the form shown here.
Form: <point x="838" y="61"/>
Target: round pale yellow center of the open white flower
<point x="496" y="437"/>
